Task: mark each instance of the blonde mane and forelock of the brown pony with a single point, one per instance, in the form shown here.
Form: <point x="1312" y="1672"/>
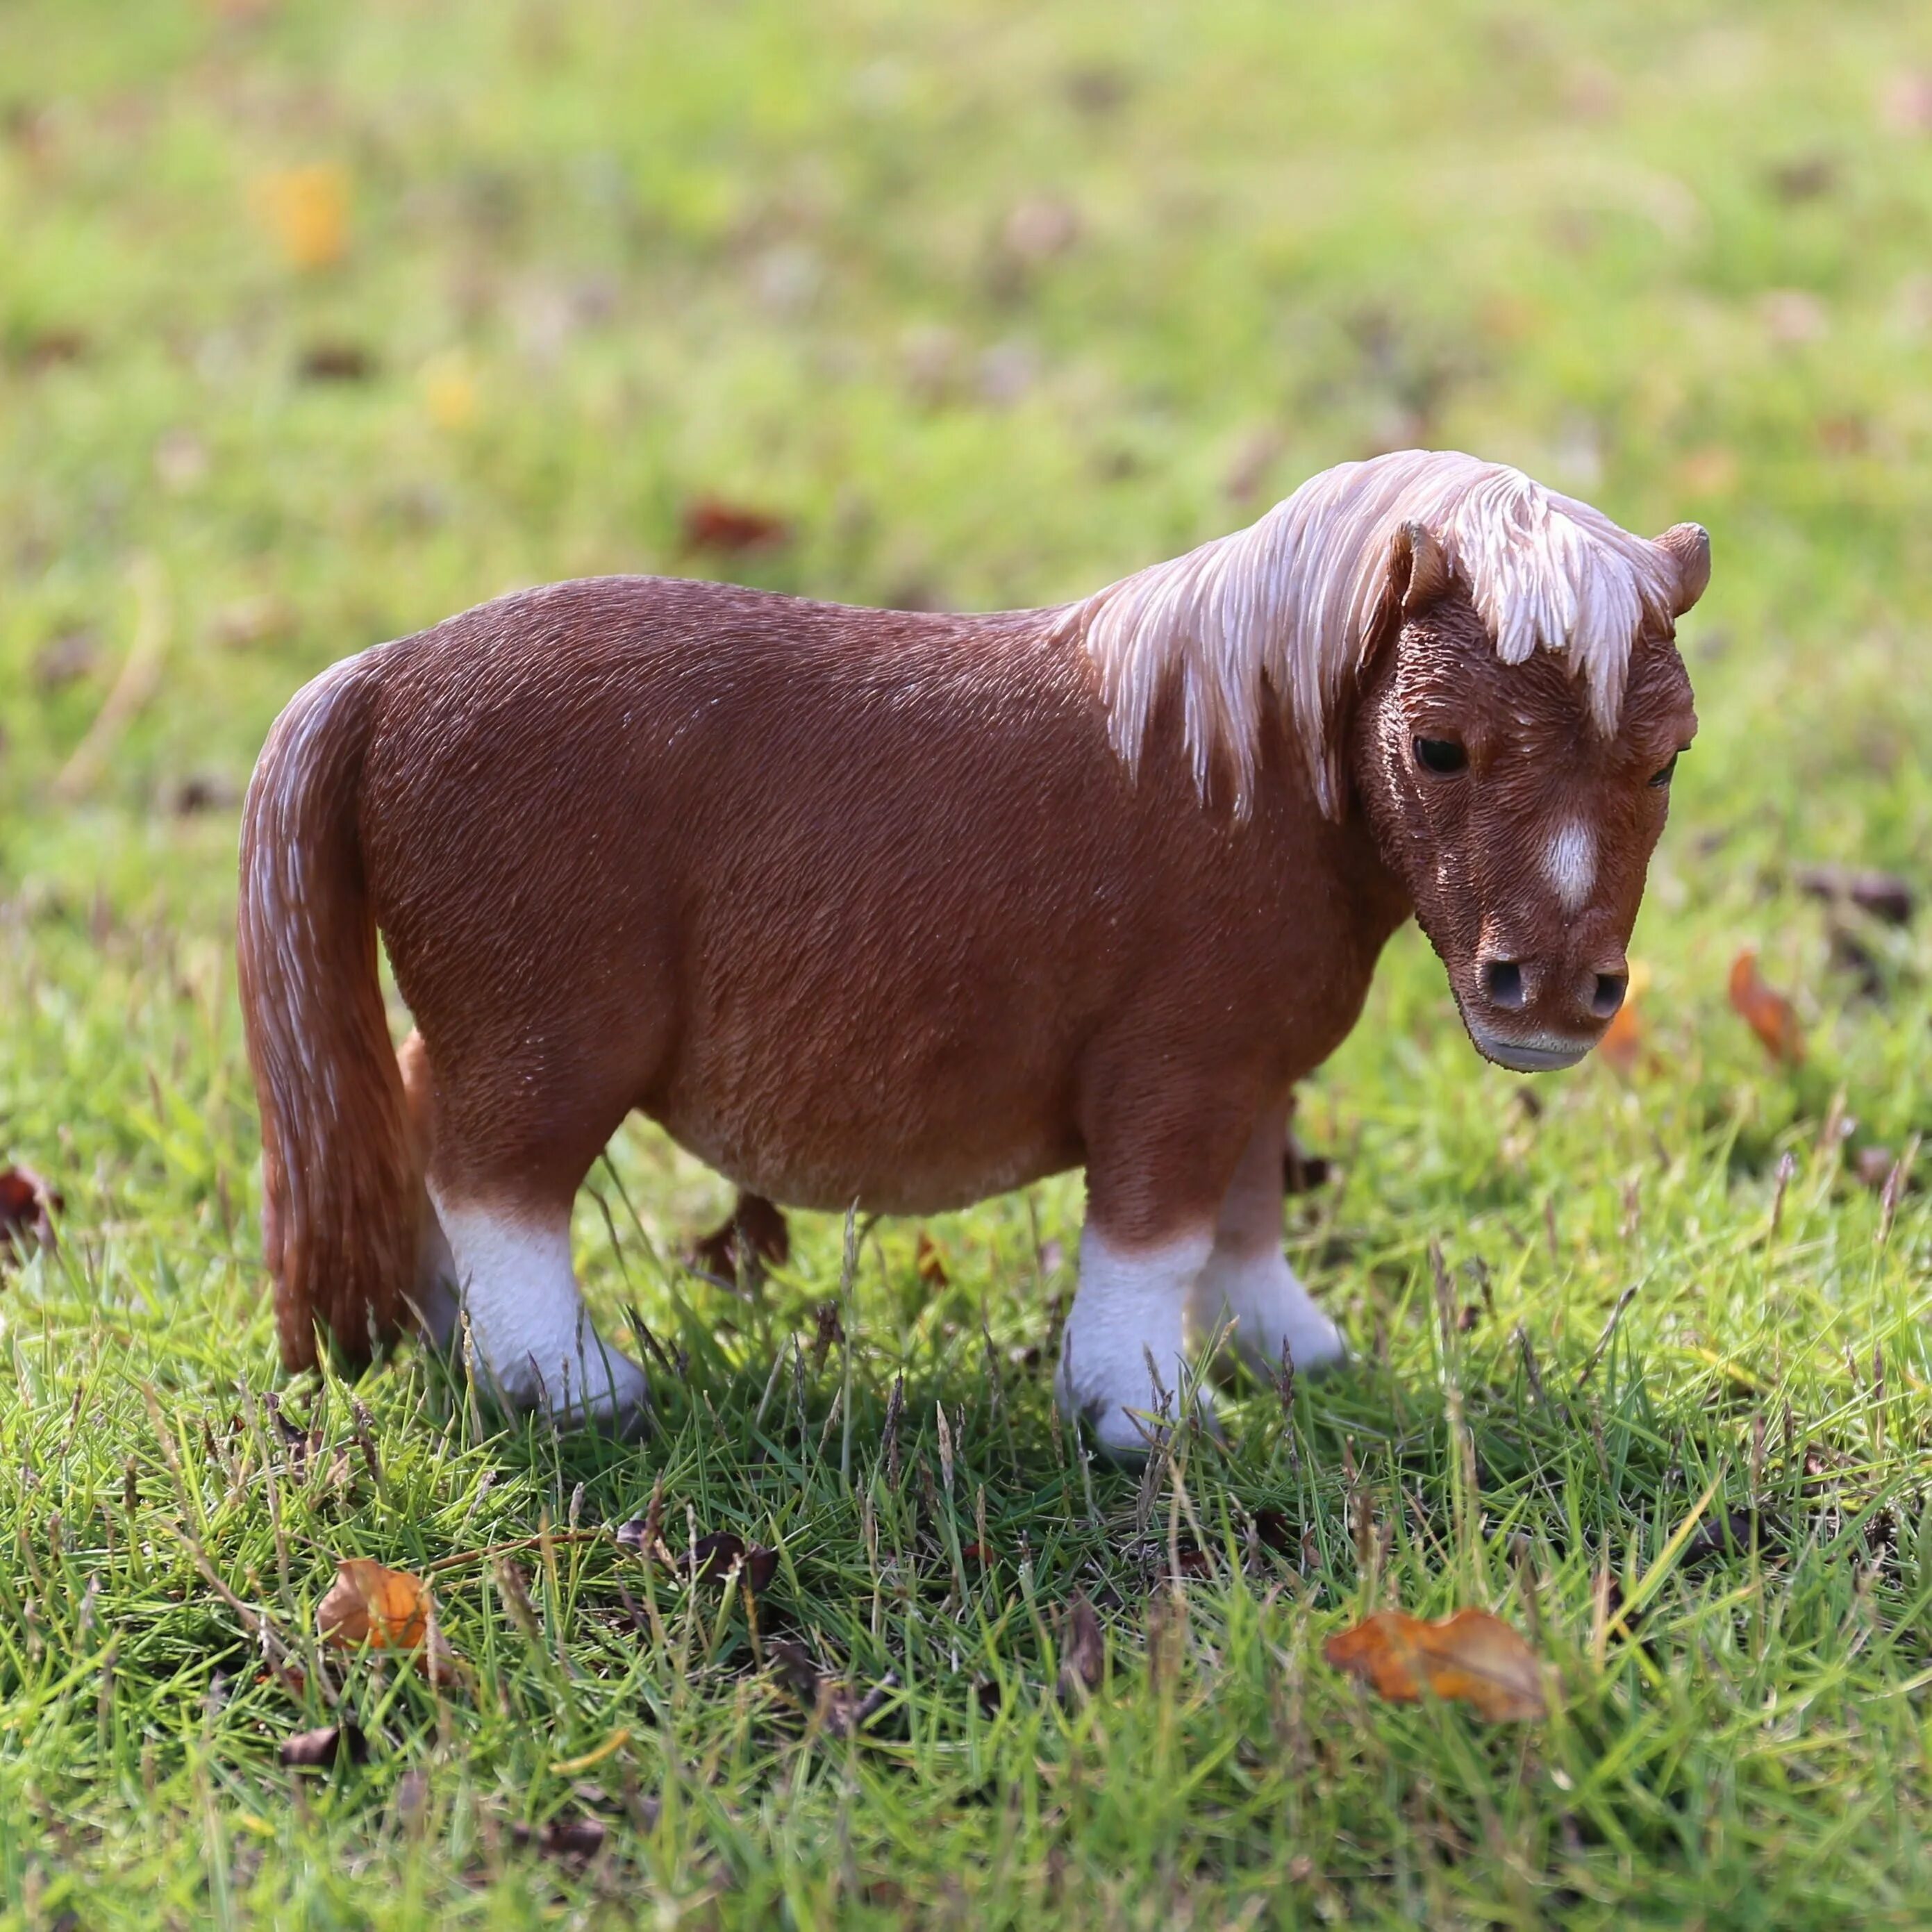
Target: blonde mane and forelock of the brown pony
<point x="1284" y="608"/>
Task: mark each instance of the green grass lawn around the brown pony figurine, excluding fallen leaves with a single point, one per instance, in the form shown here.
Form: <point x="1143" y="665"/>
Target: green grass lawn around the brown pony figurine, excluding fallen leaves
<point x="608" y="260"/>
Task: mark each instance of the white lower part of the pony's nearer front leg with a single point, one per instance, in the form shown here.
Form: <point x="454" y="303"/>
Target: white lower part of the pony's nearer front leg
<point x="1131" y="1307"/>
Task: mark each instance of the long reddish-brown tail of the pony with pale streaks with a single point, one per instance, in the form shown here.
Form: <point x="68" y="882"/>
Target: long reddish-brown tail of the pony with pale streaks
<point x="339" y="1160"/>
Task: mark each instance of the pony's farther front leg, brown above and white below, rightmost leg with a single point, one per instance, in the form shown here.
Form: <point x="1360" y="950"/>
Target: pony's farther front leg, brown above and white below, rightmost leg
<point x="1247" y="1284"/>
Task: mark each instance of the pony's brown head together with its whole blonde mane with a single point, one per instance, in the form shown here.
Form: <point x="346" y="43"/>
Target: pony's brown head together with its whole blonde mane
<point x="1487" y="669"/>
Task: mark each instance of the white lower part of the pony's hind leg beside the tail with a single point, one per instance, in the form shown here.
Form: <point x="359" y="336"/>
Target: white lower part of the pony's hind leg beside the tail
<point x="534" y="1338"/>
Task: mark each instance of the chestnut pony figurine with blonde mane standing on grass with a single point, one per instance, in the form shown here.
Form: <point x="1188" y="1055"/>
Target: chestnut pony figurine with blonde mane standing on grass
<point x="907" y="909"/>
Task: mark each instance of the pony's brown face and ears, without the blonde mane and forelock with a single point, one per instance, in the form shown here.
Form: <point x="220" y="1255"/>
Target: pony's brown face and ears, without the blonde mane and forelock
<point x="1518" y="814"/>
